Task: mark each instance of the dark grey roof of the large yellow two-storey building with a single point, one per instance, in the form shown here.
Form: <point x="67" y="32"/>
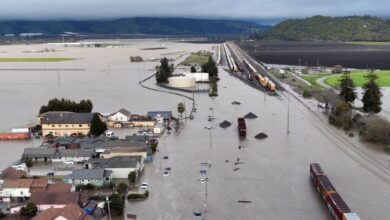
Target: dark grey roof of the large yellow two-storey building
<point x="67" y="118"/>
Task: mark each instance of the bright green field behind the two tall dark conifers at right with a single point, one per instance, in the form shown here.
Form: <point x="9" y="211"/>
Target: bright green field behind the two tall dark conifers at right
<point x="359" y="79"/>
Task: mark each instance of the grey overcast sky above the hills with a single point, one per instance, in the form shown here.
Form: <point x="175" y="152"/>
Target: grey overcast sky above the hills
<point x="236" y="9"/>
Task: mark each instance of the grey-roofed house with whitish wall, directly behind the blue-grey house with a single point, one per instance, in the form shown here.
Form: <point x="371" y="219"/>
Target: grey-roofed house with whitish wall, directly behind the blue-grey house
<point x="120" y="166"/>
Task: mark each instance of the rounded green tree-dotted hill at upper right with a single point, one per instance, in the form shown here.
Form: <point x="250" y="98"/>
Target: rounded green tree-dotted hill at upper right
<point x="353" y="28"/>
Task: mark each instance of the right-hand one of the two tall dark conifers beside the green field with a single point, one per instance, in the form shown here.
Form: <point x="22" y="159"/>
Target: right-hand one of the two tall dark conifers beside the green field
<point x="372" y="94"/>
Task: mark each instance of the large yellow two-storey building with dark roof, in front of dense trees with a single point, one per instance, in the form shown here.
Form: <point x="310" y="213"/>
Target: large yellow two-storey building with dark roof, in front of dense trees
<point x="65" y="123"/>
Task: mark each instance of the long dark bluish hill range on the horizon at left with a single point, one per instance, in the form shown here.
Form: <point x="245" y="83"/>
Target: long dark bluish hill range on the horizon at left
<point x="152" y="26"/>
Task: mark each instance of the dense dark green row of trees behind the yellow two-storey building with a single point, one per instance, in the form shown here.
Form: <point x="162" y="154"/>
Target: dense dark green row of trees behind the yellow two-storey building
<point x="84" y="106"/>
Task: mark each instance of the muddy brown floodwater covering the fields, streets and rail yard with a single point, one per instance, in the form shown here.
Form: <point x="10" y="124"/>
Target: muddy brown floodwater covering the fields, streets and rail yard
<point x="274" y="174"/>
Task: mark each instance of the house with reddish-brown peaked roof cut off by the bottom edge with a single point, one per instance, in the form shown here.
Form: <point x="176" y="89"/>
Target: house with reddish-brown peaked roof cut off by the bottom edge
<point x="69" y="212"/>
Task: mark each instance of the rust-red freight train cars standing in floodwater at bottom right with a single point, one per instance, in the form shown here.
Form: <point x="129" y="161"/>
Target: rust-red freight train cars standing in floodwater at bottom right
<point x="336" y="205"/>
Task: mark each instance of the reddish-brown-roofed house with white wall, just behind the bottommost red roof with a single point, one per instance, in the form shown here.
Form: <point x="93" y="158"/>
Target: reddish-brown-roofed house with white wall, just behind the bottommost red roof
<point x="46" y="200"/>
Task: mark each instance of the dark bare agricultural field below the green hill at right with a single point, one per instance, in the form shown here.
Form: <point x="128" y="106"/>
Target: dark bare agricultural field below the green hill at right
<point x="326" y="54"/>
